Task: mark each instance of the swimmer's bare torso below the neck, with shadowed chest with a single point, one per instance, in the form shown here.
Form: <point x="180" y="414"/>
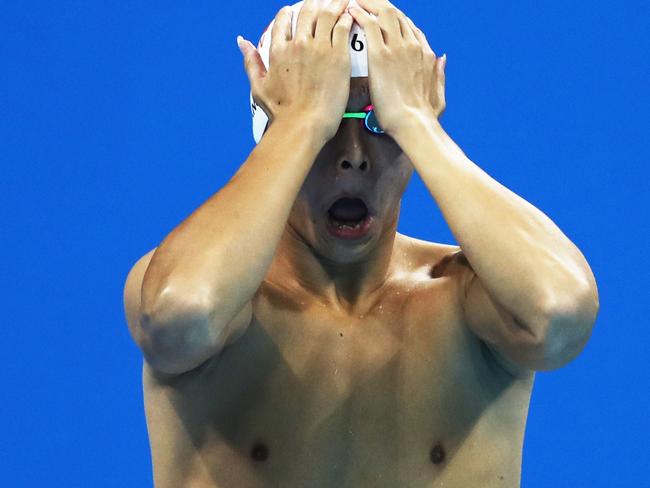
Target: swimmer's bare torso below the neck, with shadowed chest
<point x="404" y="395"/>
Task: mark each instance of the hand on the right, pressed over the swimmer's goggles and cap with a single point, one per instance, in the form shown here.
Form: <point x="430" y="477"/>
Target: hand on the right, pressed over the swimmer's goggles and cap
<point x="405" y="76"/>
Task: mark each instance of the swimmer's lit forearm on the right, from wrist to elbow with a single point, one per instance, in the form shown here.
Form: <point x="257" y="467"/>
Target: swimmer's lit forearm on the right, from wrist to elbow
<point x="522" y="258"/>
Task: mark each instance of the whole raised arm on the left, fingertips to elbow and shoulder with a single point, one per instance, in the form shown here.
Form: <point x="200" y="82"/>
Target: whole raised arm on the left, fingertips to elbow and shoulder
<point x="198" y="286"/>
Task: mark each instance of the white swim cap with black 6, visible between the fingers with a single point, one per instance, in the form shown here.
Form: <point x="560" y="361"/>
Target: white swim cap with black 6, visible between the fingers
<point x="358" y="56"/>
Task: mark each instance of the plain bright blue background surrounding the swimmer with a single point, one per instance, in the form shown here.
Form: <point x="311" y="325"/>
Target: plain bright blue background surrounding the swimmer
<point x="120" y="118"/>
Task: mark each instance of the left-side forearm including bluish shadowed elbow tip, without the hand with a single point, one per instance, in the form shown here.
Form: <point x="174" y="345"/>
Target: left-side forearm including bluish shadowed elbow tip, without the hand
<point x="208" y="268"/>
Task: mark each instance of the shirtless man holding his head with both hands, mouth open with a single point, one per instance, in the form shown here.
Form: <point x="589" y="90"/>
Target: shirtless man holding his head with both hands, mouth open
<point x="281" y="350"/>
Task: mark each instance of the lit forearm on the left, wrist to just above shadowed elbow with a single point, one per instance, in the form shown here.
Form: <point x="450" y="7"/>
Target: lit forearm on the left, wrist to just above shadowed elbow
<point x="216" y="258"/>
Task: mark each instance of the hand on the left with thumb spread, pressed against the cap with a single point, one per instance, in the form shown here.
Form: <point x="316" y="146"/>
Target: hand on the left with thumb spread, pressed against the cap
<point x="309" y="75"/>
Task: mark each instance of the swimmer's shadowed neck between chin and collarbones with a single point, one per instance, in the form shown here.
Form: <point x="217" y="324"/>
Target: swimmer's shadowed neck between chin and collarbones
<point x="341" y="285"/>
